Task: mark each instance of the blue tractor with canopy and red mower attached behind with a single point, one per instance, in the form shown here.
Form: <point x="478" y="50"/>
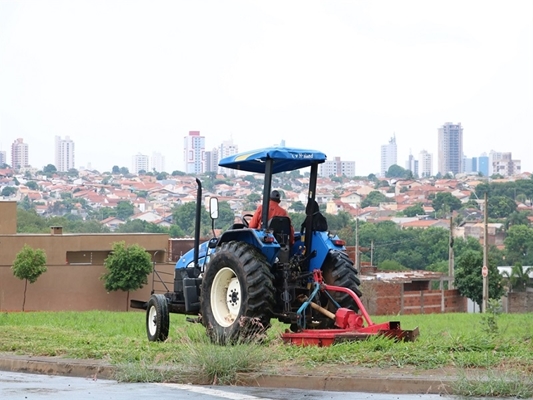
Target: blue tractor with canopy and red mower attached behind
<point x="237" y="283"/>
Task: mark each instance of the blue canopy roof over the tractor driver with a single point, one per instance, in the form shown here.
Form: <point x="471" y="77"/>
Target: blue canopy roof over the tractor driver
<point x="284" y="159"/>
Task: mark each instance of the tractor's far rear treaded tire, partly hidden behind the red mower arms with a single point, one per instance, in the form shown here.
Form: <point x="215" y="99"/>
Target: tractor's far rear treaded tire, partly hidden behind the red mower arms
<point x="339" y="270"/>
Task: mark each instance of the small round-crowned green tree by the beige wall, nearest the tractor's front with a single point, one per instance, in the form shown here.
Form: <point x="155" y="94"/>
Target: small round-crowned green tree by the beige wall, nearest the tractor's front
<point x="127" y="268"/>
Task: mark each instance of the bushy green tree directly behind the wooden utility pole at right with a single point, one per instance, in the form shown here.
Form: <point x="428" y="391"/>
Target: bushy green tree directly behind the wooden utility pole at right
<point x="469" y="281"/>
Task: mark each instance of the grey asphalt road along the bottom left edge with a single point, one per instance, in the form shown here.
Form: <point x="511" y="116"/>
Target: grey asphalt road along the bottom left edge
<point x="26" y="386"/>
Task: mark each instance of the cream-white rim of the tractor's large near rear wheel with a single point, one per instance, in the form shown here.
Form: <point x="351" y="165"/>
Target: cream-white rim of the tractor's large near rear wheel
<point x="226" y="297"/>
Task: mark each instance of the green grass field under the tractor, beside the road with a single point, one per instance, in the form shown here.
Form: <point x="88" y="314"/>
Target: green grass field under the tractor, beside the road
<point x="459" y="341"/>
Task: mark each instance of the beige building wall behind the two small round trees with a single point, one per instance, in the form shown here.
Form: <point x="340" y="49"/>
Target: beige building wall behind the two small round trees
<point x="75" y="265"/>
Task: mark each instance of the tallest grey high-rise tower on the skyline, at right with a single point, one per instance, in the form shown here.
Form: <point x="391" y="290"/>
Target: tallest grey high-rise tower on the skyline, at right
<point x="450" y="148"/>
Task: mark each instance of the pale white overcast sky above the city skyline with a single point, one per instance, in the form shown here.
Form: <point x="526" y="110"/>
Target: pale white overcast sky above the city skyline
<point x="343" y="77"/>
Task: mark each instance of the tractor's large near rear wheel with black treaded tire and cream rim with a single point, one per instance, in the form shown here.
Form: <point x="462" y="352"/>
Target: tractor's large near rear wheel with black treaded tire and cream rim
<point x="237" y="295"/>
